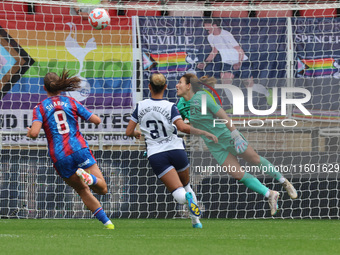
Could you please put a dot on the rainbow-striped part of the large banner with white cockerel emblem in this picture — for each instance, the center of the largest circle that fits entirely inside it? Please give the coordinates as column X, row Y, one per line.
column 102, row 59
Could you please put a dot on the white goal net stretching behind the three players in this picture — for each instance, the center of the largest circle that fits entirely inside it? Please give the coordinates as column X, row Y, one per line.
column 284, row 98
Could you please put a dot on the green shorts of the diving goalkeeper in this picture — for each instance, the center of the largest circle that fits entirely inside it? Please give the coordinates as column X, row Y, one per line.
column 221, row 150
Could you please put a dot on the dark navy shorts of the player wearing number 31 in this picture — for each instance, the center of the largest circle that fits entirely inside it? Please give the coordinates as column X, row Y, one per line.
column 163, row 162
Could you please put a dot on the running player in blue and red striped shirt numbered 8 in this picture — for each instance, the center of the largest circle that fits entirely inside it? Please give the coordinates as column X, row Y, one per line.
column 69, row 151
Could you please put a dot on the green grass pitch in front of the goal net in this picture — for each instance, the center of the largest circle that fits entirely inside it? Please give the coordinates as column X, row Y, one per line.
column 156, row 236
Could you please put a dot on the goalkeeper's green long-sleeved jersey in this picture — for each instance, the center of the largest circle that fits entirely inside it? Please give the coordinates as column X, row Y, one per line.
column 192, row 110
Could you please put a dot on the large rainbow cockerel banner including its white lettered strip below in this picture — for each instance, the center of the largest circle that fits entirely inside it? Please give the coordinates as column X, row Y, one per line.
column 33, row 45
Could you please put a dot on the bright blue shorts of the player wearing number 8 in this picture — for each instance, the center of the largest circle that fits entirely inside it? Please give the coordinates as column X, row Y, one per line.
column 83, row 158
